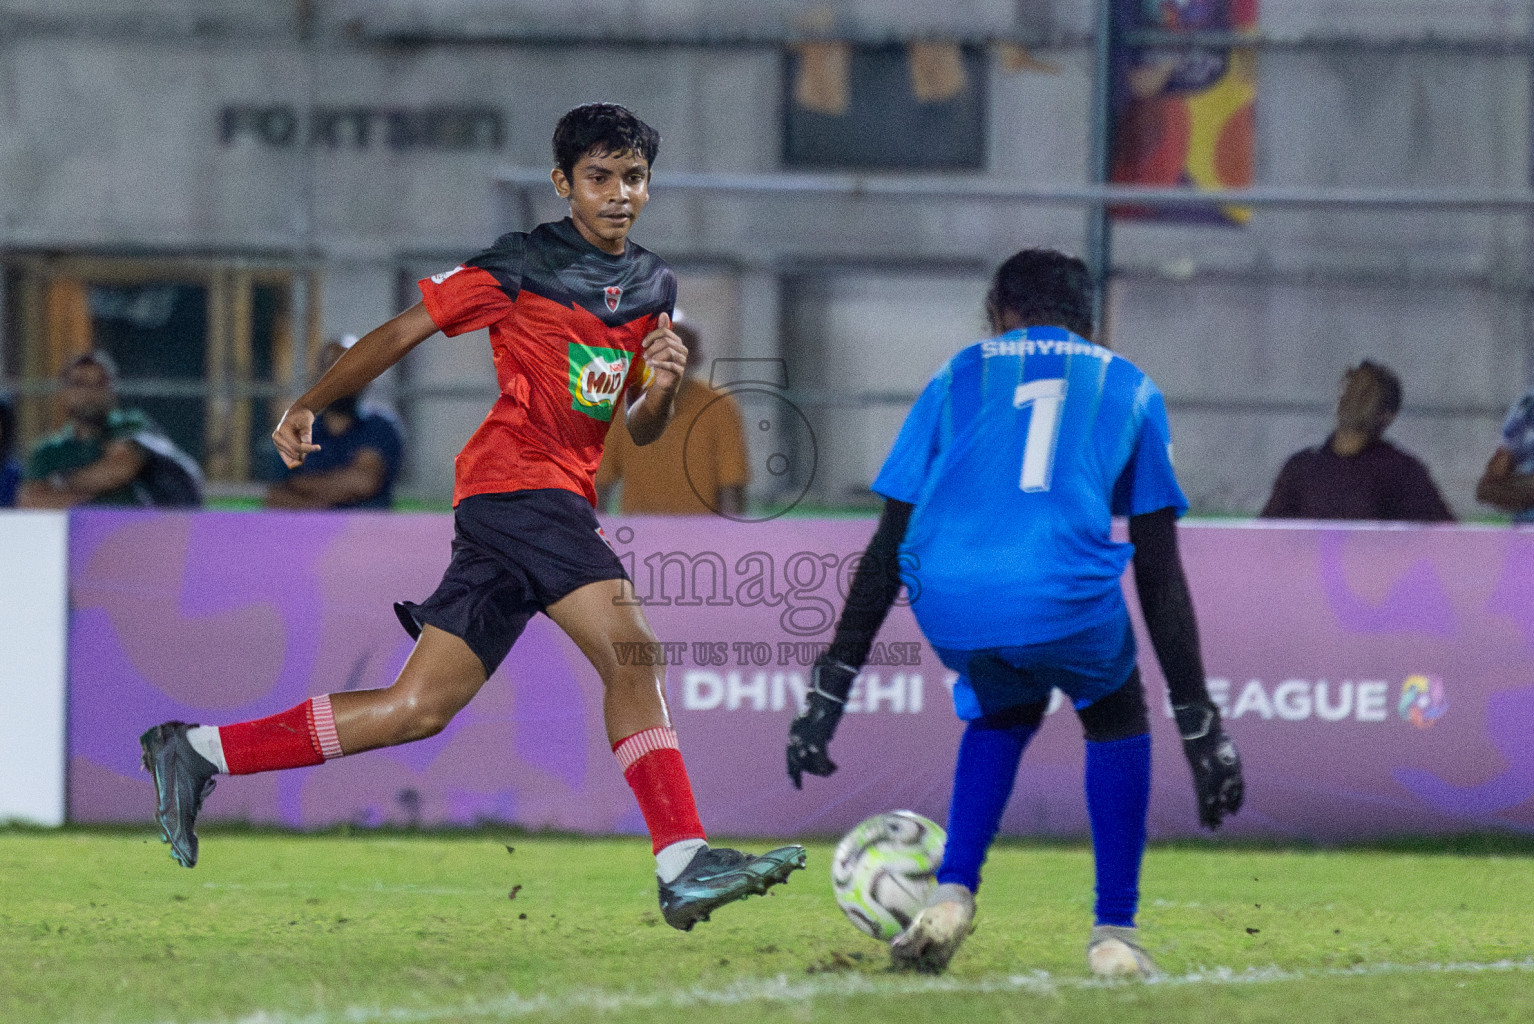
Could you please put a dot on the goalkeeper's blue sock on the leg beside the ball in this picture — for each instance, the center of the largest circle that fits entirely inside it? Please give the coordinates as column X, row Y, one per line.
column 984, row 779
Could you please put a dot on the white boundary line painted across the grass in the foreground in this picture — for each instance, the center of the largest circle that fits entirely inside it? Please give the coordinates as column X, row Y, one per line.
column 782, row 990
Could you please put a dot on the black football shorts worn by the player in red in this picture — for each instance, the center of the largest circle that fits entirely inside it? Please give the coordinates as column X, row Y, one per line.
column 513, row 556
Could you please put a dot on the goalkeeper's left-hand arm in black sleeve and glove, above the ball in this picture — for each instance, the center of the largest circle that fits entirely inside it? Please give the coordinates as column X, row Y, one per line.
column 875, row 588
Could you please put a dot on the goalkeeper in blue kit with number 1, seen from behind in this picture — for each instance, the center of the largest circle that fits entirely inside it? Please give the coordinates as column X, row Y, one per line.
column 999, row 504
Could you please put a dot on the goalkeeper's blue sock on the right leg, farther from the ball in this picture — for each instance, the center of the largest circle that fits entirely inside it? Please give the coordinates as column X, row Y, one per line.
column 1118, row 801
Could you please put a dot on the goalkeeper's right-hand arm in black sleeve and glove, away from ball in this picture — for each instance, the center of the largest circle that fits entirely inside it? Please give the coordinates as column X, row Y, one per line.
column 1168, row 608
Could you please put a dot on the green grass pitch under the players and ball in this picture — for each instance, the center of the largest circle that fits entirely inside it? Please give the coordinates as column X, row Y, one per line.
column 401, row 928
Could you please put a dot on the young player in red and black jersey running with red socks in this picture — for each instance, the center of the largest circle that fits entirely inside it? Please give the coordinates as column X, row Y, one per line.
column 581, row 326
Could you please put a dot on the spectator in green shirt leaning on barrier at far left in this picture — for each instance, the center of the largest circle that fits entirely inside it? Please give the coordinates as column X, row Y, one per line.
column 107, row 455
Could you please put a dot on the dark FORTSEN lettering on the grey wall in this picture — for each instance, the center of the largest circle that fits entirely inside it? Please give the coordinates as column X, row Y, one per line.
column 433, row 128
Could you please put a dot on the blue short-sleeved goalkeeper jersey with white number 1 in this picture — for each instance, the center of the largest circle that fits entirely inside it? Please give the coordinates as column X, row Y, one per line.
column 1018, row 456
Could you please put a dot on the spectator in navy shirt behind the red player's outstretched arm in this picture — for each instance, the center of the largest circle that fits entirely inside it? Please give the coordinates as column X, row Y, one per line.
column 361, row 450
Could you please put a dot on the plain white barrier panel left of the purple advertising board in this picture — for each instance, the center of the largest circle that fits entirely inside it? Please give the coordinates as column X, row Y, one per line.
column 33, row 640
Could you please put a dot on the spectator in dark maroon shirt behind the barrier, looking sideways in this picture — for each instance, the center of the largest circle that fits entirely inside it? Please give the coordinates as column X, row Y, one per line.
column 1355, row 474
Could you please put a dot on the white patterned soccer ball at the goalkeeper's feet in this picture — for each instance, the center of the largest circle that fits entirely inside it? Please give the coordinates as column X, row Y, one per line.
column 886, row 868
